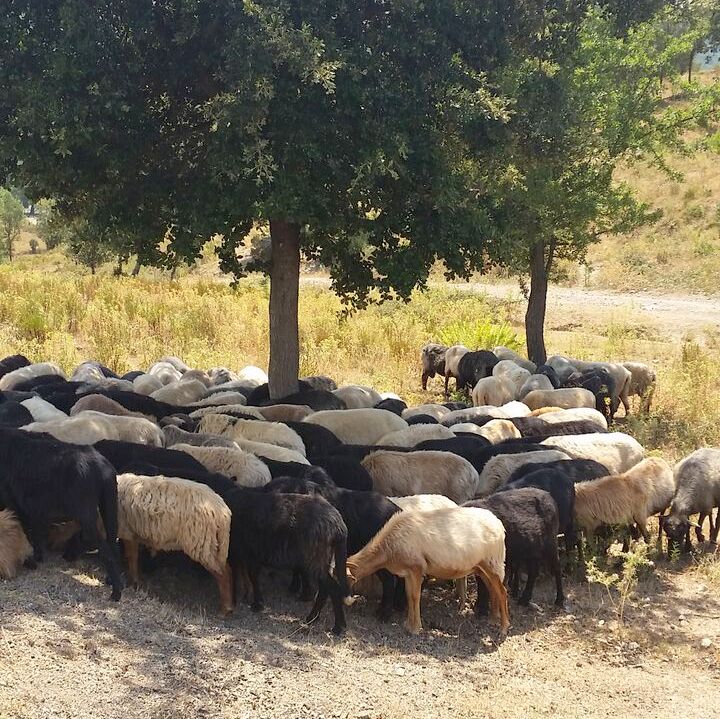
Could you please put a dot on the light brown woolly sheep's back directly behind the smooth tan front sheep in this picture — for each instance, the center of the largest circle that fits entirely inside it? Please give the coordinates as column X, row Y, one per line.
column 398, row 474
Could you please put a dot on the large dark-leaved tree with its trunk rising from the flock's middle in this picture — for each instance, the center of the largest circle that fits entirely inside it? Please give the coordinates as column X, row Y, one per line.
column 340, row 125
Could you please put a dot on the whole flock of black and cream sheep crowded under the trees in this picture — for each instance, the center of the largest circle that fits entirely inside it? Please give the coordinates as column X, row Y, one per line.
column 348, row 490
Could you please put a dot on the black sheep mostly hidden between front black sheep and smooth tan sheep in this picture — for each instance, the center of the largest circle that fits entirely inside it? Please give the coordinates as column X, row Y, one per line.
column 364, row 514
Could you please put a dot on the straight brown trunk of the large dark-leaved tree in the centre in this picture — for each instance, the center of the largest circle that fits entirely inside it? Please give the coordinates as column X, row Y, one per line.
column 284, row 282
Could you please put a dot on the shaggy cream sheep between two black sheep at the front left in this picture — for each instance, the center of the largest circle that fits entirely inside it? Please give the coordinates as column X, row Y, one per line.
column 170, row 514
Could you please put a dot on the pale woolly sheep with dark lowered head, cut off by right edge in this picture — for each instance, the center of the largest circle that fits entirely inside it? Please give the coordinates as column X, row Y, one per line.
column 697, row 482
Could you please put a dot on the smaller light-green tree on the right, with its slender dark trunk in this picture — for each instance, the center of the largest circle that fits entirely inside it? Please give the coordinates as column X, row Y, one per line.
column 586, row 98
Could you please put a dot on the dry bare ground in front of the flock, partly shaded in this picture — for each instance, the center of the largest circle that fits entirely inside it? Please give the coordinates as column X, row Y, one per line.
column 67, row 651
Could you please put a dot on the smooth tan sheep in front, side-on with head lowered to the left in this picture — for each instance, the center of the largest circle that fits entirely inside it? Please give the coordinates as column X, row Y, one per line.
column 444, row 543
